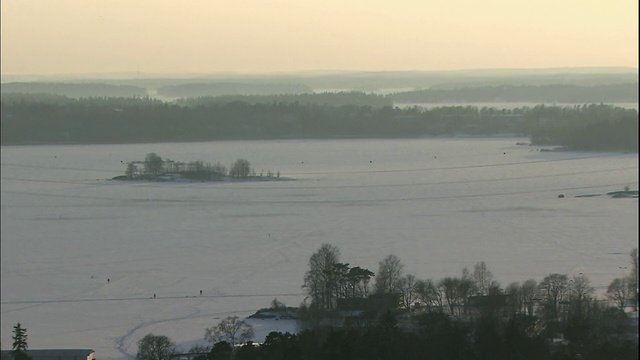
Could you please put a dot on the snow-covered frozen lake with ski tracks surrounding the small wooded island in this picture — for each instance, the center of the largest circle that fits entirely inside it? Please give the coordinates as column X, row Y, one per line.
column 438, row 204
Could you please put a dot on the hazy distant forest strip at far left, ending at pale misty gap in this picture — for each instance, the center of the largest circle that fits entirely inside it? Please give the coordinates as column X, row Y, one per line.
column 74, row 90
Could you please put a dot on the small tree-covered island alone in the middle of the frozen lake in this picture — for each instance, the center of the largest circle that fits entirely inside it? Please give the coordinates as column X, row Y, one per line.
column 154, row 168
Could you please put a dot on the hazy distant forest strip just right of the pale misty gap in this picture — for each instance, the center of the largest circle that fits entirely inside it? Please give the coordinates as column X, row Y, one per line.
column 228, row 88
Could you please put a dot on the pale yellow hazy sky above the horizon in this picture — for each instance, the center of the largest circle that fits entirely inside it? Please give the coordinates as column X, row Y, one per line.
column 198, row 36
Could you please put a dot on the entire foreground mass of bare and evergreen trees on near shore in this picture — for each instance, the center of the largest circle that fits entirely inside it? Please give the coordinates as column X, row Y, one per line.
column 470, row 316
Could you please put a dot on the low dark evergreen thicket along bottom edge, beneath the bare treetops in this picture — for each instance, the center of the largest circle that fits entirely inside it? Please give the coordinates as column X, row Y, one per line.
column 433, row 336
